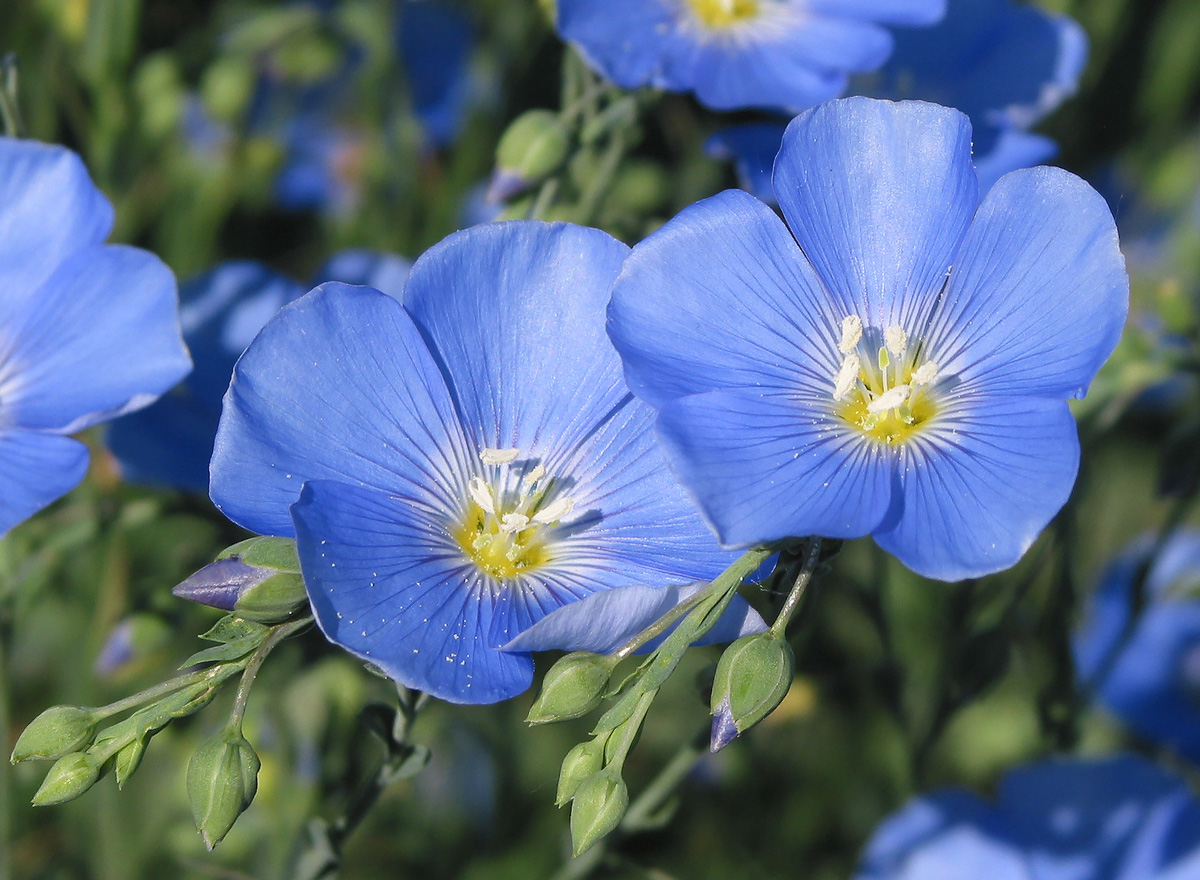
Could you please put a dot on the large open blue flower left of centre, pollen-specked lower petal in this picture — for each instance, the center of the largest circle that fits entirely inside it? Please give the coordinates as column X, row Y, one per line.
column 470, row 460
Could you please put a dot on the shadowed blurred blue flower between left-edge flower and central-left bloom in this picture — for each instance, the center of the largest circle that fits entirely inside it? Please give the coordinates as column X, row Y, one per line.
column 221, row 312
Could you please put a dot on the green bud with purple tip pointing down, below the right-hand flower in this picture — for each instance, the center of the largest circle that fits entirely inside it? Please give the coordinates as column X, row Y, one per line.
column 753, row 679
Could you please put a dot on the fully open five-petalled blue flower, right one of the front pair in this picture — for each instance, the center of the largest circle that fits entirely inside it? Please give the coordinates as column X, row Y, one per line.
column 896, row 361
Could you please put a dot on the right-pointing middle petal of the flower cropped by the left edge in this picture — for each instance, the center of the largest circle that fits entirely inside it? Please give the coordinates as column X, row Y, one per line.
column 98, row 339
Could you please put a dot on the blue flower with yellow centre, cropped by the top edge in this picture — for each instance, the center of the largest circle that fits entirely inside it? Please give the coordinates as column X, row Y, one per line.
column 787, row 55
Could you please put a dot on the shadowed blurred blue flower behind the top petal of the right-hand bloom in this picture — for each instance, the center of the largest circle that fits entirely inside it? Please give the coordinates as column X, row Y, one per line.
column 1005, row 64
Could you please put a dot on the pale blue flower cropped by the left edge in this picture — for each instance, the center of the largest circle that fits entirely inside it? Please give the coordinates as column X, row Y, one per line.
column 88, row 331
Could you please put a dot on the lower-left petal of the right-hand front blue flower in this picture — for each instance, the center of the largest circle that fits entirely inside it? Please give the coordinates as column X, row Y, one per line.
column 770, row 468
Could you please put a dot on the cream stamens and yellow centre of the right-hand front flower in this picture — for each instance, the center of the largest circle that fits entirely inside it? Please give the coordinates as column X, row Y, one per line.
column 885, row 391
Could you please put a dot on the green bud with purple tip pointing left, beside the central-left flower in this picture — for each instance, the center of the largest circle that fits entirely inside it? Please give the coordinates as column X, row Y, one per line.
column 257, row 579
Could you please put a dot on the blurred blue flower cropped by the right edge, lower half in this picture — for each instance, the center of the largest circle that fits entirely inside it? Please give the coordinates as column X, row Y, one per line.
column 1147, row 671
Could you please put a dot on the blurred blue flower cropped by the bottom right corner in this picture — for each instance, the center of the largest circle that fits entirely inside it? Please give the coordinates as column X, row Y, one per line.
column 1113, row 819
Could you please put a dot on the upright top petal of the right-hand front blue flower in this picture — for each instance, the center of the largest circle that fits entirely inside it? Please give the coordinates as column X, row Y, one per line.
column 879, row 220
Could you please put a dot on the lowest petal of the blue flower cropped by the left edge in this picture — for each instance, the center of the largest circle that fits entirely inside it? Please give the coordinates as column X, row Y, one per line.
column 35, row 470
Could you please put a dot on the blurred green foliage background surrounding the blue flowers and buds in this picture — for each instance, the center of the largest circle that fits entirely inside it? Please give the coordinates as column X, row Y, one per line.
column 183, row 112
